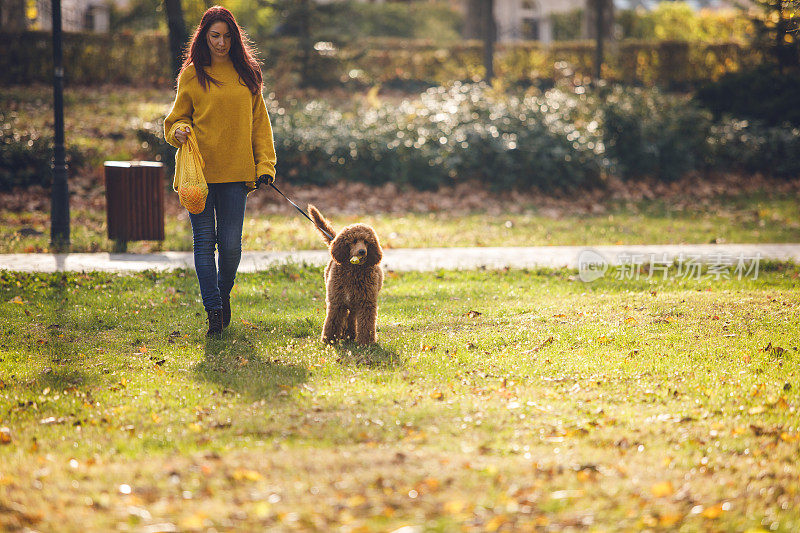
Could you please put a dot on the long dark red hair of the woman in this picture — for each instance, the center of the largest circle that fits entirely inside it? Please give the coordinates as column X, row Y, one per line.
column 241, row 53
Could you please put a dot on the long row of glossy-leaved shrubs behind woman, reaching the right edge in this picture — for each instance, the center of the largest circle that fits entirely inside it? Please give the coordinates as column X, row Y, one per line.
column 564, row 138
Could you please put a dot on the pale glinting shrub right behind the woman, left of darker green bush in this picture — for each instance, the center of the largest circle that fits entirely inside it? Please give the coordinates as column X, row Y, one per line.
column 448, row 134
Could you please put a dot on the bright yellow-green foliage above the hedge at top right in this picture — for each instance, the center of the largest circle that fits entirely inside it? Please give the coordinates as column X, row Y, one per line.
column 679, row 21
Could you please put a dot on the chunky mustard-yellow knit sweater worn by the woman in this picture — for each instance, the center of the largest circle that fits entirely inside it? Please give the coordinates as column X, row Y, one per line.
column 231, row 124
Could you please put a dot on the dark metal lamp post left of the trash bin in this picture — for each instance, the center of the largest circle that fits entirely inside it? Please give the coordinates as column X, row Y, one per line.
column 59, row 199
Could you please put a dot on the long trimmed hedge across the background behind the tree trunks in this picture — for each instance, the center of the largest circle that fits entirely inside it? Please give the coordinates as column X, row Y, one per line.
column 141, row 59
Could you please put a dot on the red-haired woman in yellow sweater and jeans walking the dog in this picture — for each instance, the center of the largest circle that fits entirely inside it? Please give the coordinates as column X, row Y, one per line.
column 219, row 97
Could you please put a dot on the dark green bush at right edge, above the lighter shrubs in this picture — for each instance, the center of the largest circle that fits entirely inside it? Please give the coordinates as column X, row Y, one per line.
column 761, row 94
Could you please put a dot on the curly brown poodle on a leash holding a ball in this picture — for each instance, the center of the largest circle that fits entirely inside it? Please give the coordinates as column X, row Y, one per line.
column 353, row 278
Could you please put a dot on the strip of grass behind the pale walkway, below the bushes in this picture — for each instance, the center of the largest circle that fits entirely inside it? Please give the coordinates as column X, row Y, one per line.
column 752, row 218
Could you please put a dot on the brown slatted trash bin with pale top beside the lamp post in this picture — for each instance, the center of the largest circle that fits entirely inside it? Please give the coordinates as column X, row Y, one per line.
column 134, row 201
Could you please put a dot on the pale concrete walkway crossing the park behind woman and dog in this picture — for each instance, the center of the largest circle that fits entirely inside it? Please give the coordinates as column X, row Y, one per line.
column 427, row 259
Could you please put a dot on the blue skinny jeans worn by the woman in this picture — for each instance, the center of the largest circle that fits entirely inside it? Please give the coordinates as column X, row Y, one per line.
column 220, row 223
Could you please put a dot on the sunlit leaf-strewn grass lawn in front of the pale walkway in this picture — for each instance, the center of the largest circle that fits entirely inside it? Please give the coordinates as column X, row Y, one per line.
column 495, row 401
